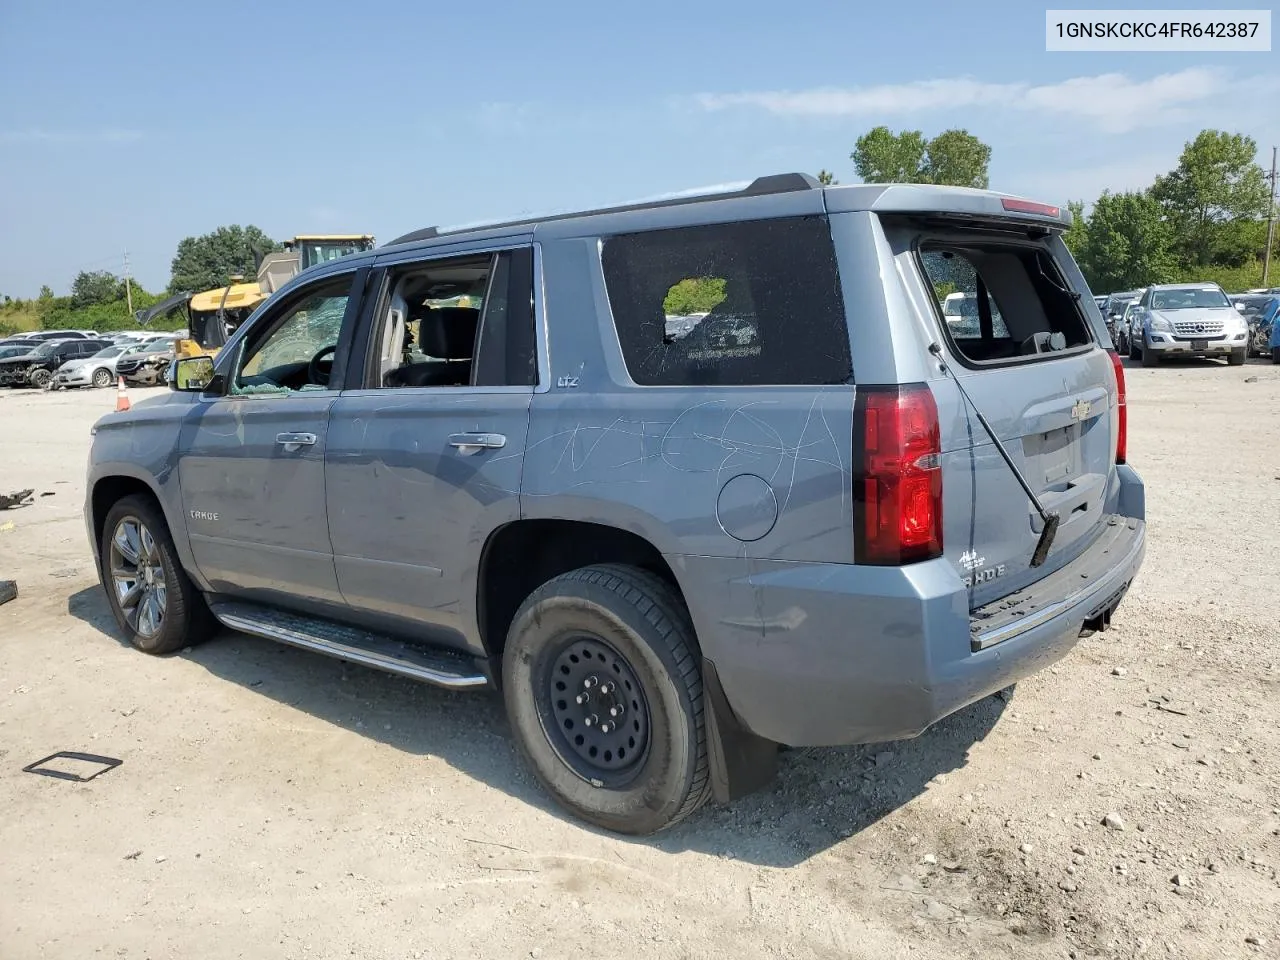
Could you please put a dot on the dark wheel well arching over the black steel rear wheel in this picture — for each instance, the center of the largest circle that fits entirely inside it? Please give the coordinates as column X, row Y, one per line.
column 525, row 555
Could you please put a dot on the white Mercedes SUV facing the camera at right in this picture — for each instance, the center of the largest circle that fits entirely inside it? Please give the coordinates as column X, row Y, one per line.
column 1188, row 321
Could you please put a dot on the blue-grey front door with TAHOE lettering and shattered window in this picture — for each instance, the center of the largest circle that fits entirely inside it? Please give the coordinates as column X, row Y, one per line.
column 252, row 464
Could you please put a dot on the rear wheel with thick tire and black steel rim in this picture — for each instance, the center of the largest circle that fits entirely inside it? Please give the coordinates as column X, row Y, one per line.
column 604, row 691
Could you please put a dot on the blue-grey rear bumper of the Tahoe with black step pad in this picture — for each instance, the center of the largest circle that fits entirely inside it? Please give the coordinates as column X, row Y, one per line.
column 815, row 655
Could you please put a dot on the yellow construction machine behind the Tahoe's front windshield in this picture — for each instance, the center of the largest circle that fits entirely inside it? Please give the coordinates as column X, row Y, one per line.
column 214, row 316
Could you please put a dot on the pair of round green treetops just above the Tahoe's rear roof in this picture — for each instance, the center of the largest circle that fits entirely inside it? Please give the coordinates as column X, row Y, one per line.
column 954, row 158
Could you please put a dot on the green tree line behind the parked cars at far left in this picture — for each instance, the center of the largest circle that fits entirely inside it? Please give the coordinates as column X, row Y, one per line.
column 99, row 300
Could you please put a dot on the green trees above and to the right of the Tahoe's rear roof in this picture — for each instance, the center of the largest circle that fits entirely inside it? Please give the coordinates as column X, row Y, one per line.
column 1203, row 221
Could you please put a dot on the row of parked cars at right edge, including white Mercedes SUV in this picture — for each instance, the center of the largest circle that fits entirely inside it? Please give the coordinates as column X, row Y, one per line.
column 1173, row 321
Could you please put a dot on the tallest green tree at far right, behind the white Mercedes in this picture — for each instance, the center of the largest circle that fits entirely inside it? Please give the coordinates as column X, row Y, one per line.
column 1215, row 189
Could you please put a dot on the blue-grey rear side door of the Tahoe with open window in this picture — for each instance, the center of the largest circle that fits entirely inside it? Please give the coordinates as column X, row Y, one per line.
column 426, row 451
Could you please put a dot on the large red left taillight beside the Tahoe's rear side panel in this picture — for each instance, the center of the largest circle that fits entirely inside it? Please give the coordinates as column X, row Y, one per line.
column 898, row 476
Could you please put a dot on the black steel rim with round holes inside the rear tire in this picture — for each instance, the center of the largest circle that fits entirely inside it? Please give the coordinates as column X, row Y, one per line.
column 600, row 716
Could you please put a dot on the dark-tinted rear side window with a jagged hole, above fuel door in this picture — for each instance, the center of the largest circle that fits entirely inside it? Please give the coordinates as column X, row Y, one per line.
column 740, row 304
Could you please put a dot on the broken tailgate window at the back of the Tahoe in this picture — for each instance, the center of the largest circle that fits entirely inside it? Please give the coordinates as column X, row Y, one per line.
column 1002, row 301
